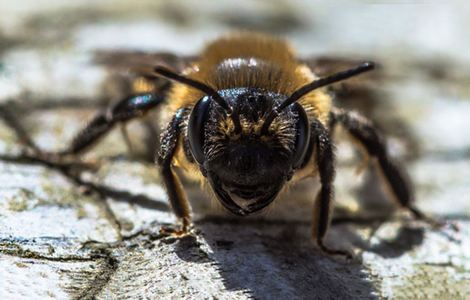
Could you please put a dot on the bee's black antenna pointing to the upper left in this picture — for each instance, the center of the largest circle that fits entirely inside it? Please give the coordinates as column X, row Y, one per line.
column 167, row 73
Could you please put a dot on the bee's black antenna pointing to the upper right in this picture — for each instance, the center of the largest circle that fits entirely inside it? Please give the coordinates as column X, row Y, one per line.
column 318, row 83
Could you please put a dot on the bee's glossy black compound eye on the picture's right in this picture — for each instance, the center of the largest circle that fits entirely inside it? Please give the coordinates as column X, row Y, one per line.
column 303, row 136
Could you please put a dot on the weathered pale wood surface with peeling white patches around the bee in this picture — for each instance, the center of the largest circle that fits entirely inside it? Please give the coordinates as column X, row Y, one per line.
column 58, row 242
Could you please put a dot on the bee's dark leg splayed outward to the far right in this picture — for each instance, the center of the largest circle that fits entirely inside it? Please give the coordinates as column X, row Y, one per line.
column 396, row 178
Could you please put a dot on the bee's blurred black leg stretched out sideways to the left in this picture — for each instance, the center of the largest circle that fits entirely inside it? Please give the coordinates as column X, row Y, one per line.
column 123, row 111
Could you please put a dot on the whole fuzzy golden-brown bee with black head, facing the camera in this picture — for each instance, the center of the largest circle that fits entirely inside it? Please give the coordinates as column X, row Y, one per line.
column 248, row 118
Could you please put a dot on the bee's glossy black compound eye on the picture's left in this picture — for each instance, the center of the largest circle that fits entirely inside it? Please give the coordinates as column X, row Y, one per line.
column 196, row 126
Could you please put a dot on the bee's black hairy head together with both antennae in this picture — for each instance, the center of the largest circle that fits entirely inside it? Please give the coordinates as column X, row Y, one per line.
column 248, row 142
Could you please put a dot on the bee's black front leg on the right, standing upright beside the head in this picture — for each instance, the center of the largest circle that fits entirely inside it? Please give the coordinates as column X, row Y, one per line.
column 324, row 201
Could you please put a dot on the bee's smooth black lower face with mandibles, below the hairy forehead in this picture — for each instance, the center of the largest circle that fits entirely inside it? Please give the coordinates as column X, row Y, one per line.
column 247, row 177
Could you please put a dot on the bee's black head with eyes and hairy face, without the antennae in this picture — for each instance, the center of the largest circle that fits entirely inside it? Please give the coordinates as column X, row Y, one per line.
column 246, row 170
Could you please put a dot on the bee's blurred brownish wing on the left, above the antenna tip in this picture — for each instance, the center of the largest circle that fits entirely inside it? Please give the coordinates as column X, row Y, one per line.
column 141, row 63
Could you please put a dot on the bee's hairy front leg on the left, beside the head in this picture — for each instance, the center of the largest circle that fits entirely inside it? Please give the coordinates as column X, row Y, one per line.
column 176, row 195
